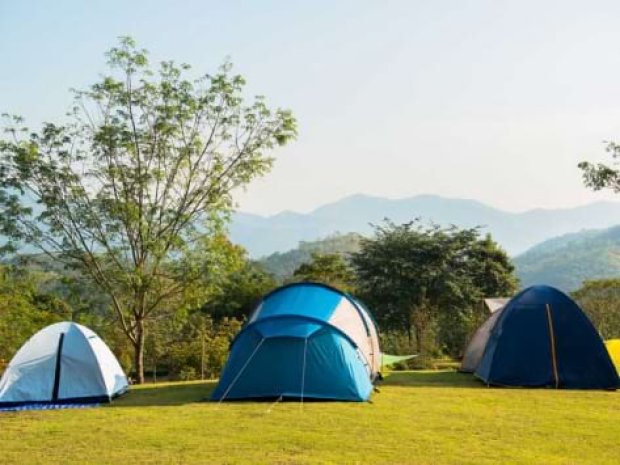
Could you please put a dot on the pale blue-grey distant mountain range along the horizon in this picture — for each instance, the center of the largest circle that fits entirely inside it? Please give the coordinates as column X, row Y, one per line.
column 516, row 232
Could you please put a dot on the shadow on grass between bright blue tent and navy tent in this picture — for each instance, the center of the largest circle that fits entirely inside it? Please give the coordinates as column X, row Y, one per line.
column 439, row 379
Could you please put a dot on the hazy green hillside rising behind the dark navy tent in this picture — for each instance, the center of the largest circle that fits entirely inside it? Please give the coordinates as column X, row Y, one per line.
column 566, row 261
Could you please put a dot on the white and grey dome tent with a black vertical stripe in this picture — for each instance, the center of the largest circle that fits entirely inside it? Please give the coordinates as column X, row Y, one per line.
column 61, row 364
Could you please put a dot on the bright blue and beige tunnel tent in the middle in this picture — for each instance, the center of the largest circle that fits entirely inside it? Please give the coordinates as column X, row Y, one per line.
column 303, row 340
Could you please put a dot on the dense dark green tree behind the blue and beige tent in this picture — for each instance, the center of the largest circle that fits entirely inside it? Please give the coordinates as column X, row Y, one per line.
column 416, row 275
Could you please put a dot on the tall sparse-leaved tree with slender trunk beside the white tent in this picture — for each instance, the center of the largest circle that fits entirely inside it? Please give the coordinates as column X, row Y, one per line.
column 144, row 170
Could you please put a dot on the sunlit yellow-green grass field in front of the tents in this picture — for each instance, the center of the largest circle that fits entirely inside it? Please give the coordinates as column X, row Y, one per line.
column 417, row 418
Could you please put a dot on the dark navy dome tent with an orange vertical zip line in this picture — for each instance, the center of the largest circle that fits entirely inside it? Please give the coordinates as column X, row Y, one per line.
column 543, row 339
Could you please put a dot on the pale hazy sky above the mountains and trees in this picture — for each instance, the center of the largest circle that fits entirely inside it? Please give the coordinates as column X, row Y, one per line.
column 491, row 100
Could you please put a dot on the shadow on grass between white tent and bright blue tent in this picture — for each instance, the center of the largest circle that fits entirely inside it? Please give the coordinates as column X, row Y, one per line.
column 166, row 394
